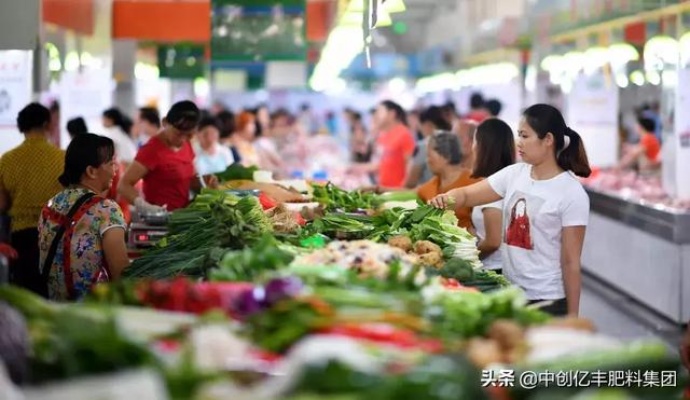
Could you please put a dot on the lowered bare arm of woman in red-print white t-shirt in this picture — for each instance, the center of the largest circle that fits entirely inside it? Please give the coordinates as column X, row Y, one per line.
column 572, row 240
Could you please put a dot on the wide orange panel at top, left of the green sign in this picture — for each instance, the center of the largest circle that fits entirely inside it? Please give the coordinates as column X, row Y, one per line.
column 163, row 21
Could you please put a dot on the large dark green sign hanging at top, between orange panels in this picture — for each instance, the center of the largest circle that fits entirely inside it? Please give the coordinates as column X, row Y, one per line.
column 258, row 30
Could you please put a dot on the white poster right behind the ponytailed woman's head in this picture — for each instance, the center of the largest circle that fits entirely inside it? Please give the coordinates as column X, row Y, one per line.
column 592, row 111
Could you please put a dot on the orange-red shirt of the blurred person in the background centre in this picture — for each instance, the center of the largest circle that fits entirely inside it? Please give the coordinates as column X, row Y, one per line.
column 396, row 146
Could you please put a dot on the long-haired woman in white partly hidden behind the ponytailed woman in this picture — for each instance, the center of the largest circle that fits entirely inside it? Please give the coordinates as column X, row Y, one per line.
column 494, row 149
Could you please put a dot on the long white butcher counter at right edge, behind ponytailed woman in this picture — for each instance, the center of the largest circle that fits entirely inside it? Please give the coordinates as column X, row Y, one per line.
column 641, row 250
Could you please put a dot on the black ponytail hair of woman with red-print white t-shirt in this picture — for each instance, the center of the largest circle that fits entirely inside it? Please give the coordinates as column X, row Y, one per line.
column 569, row 149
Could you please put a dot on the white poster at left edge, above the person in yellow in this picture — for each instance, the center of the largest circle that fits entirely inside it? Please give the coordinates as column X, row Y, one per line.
column 15, row 84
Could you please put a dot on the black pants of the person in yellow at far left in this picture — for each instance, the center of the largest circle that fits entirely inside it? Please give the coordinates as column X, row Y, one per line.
column 25, row 271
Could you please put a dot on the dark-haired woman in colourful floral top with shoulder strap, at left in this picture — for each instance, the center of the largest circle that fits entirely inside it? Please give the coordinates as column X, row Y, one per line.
column 91, row 249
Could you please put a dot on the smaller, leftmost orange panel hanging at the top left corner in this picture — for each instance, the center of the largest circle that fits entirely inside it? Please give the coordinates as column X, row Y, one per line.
column 75, row 15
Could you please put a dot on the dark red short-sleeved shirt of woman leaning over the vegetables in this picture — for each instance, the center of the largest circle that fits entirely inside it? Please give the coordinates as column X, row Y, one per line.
column 170, row 173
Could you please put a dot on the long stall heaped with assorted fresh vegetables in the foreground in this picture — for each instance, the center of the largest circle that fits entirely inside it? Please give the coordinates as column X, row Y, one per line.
column 362, row 296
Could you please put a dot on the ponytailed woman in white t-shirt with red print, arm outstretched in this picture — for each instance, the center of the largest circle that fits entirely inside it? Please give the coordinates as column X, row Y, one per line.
column 545, row 209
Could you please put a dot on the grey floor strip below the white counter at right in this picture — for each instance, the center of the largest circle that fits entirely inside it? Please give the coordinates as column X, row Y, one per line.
column 616, row 315
